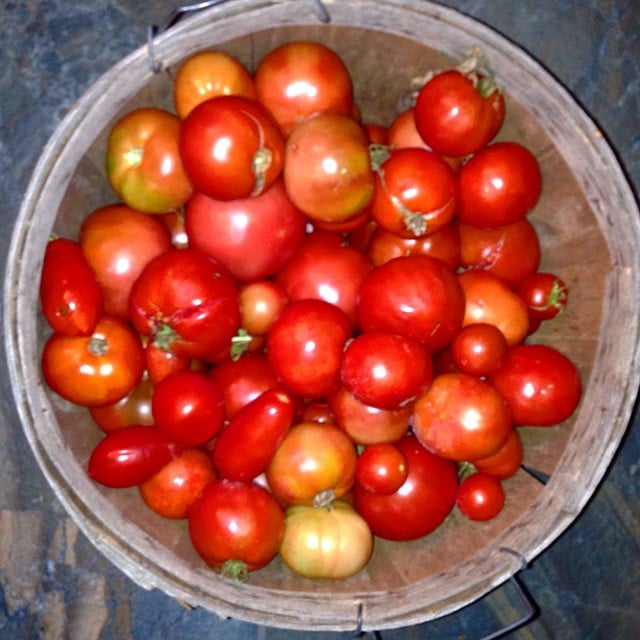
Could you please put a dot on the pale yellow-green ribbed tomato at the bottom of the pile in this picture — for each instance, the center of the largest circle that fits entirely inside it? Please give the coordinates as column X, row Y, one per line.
column 326, row 542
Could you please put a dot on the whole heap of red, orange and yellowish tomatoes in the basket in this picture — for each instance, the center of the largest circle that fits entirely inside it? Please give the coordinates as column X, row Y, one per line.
column 299, row 330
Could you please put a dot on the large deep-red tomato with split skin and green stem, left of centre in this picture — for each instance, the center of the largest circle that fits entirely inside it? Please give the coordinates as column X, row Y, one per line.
column 187, row 301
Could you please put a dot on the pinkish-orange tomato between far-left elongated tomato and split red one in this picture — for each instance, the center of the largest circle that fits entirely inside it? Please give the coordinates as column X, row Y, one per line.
column 118, row 242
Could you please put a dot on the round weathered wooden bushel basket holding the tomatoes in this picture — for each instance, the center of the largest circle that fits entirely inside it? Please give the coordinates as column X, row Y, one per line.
column 589, row 227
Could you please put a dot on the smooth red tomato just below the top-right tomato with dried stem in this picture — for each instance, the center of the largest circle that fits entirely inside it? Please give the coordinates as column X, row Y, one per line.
column 499, row 185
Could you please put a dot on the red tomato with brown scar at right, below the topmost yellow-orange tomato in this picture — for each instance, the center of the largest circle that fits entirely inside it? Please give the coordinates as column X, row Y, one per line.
column 231, row 147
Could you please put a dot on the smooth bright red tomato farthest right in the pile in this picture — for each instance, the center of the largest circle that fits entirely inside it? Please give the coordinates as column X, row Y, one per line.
column 541, row 385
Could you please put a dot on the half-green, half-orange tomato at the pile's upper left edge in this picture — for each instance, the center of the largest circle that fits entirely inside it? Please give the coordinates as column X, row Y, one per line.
column 143, row 161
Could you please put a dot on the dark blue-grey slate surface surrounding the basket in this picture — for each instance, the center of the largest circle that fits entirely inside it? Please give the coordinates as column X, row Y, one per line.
column 53, row 584
